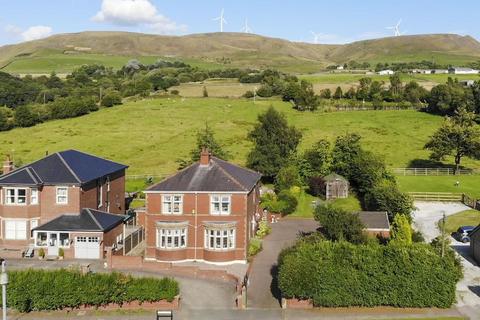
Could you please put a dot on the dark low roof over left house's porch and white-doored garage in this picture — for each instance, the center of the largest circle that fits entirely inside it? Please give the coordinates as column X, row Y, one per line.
column 87, row 220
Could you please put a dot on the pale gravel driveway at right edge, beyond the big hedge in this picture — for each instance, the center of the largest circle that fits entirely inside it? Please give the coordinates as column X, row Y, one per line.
column 426, row 218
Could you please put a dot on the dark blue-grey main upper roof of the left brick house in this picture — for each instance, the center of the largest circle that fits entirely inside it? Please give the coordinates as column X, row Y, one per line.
column 65, row 167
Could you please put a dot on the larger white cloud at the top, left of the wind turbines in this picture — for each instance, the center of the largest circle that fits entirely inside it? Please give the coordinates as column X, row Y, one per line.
column 135, row 13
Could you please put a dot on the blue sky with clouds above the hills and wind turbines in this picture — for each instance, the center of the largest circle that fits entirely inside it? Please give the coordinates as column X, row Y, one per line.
column 337, row 21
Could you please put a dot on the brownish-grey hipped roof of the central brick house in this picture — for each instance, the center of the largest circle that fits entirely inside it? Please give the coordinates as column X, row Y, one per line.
column 218, row 176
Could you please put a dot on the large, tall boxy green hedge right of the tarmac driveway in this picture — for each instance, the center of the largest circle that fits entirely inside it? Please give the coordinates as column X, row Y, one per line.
column 341, row 274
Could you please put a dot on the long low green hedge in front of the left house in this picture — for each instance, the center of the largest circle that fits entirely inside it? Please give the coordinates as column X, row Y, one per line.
column 36, row 290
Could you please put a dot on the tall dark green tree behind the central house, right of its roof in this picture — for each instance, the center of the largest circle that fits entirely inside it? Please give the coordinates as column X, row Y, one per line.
column 274, row 141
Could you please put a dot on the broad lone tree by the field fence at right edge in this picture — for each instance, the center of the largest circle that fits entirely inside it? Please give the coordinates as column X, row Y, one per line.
column 459, row 136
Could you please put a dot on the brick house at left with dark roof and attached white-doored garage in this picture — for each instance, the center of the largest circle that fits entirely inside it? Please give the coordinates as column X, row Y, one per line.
column 61, row 185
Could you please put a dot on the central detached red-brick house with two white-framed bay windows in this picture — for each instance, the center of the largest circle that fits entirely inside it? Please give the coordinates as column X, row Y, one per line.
column 206, row 212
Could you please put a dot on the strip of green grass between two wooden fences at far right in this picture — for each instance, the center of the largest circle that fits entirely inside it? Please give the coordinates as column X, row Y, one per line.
column 468, row 184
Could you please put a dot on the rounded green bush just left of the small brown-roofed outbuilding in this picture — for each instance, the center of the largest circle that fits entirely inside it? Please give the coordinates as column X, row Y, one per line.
column 338, row 224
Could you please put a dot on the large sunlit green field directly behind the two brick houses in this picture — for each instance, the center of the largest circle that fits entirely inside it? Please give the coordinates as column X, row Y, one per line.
column 150, row 135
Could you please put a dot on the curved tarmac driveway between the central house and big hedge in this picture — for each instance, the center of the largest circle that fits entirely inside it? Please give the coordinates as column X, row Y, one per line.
column 262, row 291
